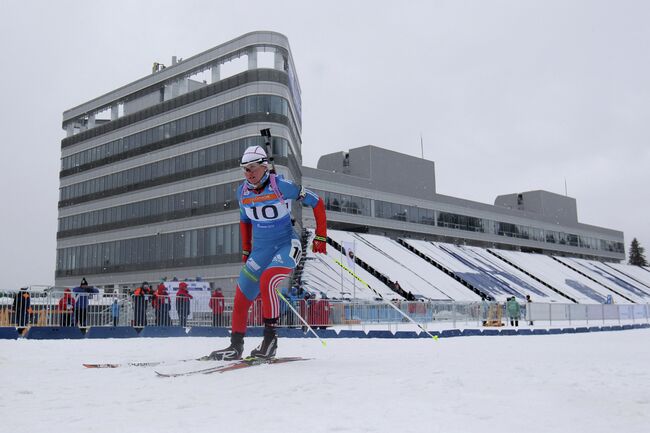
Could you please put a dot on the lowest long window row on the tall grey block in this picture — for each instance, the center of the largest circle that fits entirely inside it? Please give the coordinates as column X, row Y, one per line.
column 151, row 252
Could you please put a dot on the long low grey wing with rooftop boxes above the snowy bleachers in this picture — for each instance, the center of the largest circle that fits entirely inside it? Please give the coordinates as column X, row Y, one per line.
column 360, row 197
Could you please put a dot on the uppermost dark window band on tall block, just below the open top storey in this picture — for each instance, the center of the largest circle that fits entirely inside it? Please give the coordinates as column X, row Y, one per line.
column 213, row 116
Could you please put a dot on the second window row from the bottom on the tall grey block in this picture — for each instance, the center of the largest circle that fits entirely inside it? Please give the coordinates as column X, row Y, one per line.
column 214, row 199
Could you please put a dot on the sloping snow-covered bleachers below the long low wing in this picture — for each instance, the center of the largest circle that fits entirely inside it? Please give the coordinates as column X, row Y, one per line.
column 445, row 272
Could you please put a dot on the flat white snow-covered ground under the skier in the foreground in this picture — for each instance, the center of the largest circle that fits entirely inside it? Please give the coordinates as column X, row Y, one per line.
column 596, row 382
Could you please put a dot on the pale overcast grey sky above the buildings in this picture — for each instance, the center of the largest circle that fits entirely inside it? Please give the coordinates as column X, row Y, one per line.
column 509, row 96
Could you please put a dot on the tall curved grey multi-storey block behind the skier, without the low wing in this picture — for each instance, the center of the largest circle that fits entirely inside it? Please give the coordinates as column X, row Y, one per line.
column 149, row 171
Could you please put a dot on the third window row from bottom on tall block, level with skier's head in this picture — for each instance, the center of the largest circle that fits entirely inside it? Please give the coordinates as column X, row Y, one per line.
column 225, row 156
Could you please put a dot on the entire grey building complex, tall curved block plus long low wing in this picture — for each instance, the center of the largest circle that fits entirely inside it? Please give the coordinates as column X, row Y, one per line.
column 149, row 174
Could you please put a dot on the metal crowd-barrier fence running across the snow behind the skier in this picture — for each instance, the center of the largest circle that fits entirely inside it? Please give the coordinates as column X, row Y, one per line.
column 56, row 308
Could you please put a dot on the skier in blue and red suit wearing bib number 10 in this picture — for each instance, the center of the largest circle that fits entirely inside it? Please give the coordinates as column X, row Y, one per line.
column 265, row 216
